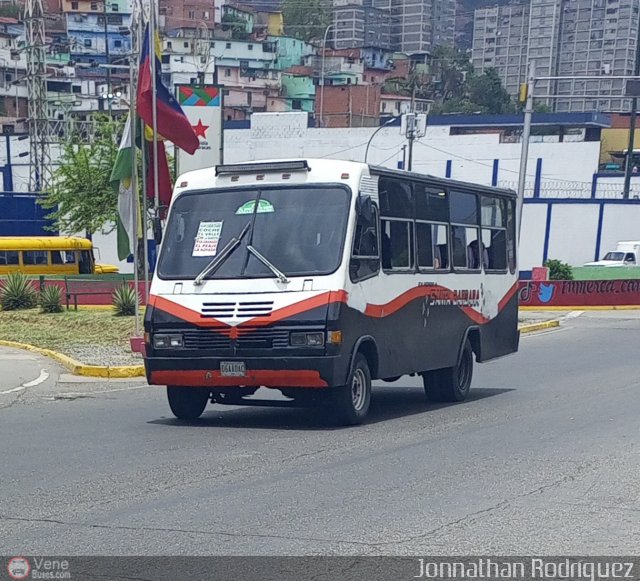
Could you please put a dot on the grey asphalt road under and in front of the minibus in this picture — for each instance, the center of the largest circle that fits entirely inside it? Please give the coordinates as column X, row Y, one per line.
column 545, row 458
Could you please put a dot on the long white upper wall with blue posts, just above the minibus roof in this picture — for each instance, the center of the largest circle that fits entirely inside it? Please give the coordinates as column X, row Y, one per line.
column 565, row 170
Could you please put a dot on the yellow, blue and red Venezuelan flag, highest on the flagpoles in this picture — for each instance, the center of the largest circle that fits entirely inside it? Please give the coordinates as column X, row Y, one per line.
column 171, row 120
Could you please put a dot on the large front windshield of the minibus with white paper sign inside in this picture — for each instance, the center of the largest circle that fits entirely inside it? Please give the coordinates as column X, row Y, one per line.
column 300, row 230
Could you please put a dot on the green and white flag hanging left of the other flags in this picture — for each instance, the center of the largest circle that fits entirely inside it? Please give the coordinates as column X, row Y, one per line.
column 121, row 180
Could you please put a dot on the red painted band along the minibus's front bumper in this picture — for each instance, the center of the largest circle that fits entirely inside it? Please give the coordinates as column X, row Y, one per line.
column 254, row 378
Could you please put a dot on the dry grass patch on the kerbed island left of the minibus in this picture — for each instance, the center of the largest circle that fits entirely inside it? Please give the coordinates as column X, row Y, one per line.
column 61, row 331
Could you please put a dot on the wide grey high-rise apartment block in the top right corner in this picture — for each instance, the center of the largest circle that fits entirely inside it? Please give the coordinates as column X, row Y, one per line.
column 562, row 38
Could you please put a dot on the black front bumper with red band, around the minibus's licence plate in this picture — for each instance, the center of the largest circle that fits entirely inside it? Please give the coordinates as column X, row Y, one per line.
column 289, row 372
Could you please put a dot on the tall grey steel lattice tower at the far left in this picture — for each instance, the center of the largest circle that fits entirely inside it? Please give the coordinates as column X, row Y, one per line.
column 39, row 128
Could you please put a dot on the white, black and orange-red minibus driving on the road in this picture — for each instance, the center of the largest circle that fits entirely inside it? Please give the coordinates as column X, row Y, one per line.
column 317, row 276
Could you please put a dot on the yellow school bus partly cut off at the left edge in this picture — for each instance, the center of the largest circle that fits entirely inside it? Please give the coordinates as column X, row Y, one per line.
column 49, row 255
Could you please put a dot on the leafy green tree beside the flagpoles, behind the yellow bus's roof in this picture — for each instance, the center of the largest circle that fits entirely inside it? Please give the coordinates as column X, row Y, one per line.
column 81, row 198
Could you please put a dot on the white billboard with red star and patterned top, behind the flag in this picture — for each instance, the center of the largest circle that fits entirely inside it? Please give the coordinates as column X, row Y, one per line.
column 203, row 107
